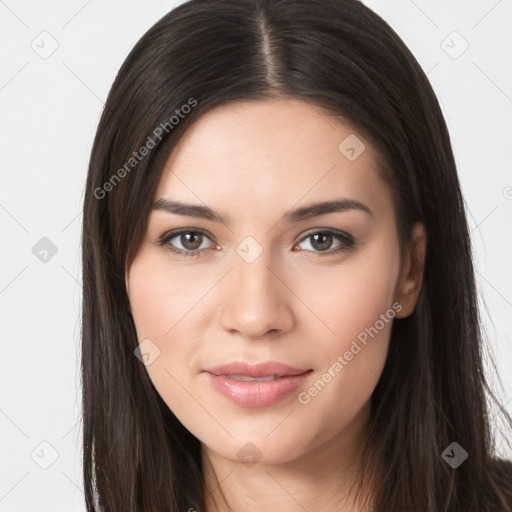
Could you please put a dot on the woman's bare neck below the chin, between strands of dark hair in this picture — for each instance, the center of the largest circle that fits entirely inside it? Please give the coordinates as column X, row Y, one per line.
column 324, row 478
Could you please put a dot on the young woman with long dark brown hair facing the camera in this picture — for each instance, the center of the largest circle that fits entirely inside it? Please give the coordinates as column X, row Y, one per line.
column 279, row 301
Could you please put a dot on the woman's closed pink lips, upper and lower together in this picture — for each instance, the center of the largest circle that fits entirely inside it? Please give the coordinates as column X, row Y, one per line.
column 256, row 393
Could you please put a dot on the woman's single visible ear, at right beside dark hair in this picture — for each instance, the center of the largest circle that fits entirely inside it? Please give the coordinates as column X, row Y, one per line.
column 411, row 278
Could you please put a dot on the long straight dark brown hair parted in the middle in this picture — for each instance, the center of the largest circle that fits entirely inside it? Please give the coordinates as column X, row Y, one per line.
column 342, row 57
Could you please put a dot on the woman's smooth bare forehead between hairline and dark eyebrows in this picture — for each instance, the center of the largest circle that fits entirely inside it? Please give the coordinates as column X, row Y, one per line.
column 274, row 154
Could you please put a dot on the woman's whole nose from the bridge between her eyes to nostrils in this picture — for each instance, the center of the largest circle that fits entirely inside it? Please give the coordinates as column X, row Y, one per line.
column 257, row 300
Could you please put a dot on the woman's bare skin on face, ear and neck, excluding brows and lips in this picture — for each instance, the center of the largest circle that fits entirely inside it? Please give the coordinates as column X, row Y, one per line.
column 253, row 162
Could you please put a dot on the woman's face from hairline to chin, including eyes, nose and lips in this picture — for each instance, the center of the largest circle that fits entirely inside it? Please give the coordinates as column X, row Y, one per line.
column 317, row 292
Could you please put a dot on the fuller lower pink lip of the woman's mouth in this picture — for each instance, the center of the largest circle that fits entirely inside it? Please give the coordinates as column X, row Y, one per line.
column 254, row 393
